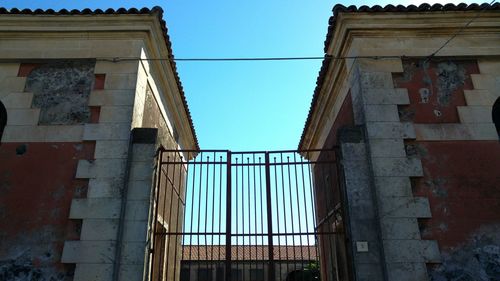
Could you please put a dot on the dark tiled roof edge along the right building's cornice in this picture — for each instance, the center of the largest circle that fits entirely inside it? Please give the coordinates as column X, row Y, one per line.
column 378, row 9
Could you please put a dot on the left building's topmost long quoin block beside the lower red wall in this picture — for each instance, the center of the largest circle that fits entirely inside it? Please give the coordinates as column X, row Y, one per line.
column 100, row 168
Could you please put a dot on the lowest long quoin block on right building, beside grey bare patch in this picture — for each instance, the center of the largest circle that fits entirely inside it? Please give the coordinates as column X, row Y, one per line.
column 411, row 251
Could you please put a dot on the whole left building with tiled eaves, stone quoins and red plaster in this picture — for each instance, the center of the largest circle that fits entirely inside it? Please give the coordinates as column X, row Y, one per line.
column 82, row 113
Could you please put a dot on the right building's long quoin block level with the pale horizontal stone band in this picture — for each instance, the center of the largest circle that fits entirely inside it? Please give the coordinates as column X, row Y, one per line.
column 390, row 130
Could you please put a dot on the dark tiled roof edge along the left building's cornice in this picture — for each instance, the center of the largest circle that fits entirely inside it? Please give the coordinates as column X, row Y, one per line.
column 158, row 11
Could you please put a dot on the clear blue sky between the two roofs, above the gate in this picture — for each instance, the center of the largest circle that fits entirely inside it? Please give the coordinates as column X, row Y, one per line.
column 240, row 105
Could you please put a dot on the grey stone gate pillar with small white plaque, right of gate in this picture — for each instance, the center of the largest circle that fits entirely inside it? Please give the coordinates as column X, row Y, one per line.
column 360, row 206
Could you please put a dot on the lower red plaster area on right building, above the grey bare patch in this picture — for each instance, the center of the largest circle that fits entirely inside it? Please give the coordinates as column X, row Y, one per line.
column 462, row 181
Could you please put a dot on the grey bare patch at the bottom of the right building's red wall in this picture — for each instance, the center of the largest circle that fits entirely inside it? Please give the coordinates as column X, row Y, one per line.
column 478, row 259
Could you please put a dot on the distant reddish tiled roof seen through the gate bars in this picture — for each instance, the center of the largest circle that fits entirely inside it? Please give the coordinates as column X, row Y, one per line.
column 247, row 253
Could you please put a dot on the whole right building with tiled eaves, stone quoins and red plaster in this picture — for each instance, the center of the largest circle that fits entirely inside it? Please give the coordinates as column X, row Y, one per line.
column 409, row 96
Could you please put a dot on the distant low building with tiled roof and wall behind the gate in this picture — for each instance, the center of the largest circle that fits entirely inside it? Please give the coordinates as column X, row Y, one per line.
column 206, row 263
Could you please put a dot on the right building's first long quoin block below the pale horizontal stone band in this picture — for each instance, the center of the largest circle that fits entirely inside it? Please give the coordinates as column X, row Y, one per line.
column 397, row 167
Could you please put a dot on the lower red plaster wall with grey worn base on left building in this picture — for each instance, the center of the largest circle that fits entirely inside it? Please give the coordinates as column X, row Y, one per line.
column 37, row 184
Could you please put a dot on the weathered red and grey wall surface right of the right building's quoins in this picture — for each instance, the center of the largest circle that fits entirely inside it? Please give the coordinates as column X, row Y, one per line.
column 451, row 107
